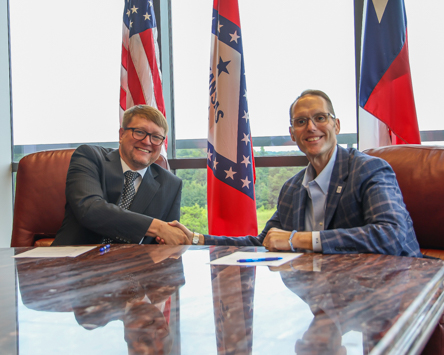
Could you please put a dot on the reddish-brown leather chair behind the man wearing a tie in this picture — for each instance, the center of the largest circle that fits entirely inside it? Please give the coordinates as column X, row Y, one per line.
column 40, row 196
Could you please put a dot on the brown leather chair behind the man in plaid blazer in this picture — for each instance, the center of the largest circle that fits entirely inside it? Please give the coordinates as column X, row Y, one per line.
column 420, row 172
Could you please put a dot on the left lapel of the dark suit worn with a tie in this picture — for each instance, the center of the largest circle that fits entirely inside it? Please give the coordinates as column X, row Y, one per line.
column 113, row 176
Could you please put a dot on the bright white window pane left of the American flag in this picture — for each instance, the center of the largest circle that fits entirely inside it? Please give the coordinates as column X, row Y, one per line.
column 65, row 61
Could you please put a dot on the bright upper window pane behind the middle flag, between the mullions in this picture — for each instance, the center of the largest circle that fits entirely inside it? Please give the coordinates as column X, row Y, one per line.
column 286, row 51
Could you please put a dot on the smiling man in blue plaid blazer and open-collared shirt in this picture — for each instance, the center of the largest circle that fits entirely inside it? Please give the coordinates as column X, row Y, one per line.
column 343, row 202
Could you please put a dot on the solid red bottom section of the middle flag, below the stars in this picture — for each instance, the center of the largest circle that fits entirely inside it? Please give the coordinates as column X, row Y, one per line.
column 227, row 220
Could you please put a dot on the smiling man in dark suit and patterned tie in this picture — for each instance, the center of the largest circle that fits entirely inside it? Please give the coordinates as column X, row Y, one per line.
column 95, row 211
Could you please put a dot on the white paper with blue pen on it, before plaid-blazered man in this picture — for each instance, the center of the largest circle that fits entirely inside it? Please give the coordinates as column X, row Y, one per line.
column 232, row 259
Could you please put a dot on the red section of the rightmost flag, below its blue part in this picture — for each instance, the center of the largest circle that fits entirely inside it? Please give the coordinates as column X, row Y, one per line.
column 392, row 100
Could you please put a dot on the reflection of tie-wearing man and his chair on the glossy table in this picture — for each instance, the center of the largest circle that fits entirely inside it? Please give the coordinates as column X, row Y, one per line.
column 138, row 294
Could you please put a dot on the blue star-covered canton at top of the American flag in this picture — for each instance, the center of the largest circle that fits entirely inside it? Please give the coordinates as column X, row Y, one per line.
column 139, row 16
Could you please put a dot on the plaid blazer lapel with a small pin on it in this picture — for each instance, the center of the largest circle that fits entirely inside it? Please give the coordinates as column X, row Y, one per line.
column 338, row 182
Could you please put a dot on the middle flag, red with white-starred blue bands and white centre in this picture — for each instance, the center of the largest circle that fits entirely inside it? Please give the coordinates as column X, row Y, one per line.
column 230, row 164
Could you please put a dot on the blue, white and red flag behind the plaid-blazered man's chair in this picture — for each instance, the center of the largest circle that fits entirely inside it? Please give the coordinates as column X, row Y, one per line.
column 386, row 90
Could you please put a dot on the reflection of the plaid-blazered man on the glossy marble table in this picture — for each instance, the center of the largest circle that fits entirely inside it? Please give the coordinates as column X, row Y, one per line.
column 344, row 304
